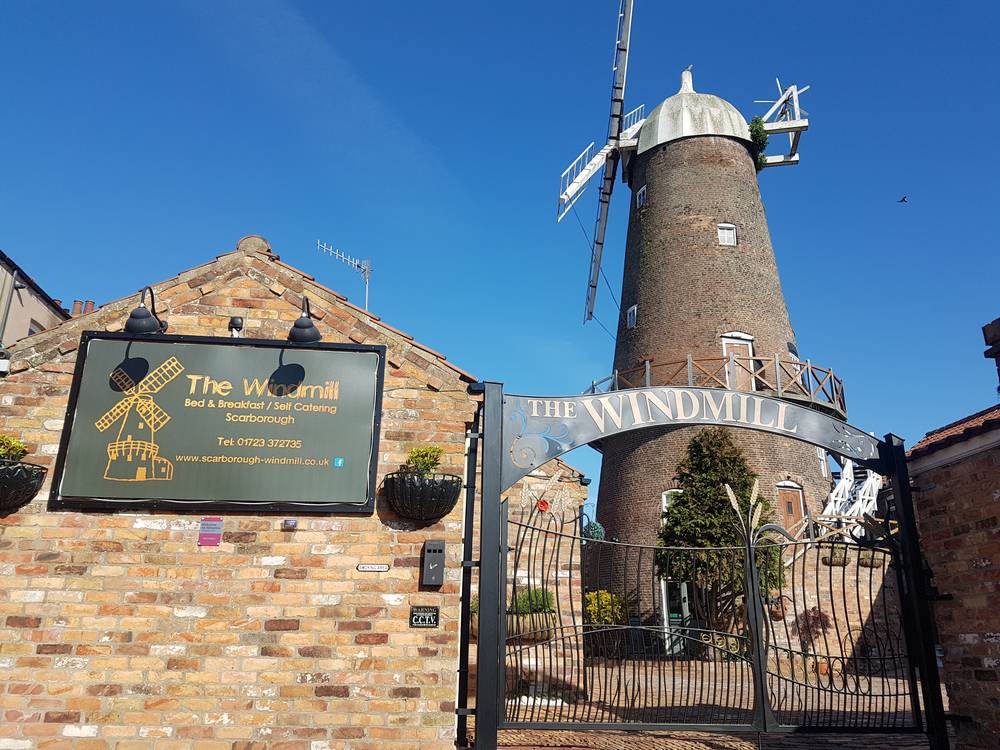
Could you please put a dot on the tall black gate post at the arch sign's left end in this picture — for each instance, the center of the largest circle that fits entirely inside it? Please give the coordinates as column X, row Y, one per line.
column 489, row 693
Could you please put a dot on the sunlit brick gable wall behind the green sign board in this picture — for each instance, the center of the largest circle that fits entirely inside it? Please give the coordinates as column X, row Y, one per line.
column 120, row 631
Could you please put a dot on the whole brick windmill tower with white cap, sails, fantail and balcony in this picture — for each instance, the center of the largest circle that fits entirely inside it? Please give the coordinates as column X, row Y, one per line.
column 701, row 300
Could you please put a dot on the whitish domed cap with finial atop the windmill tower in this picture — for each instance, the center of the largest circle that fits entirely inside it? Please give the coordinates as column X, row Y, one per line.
column 689, row 113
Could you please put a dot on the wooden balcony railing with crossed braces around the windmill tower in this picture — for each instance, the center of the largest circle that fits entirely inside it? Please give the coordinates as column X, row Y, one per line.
column 791, row 379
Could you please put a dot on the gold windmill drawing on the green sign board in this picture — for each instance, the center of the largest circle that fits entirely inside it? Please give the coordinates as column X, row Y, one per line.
column 134, row 455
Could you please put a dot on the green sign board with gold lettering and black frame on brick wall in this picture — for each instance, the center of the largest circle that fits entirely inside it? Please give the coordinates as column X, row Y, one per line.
column 174, row 421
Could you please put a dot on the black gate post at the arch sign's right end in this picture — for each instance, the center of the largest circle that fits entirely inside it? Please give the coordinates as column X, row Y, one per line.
column 893, row 458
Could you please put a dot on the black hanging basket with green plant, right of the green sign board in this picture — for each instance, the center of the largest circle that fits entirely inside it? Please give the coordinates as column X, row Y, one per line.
column 417, row 492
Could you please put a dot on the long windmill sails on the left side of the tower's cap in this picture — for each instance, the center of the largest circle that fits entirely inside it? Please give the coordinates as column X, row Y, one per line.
column 622, row 132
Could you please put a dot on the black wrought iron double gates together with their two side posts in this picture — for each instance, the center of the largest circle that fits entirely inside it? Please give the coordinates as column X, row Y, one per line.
column 773, row 634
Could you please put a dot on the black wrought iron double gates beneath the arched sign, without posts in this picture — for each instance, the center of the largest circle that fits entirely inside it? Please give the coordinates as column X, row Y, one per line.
column 777, row 633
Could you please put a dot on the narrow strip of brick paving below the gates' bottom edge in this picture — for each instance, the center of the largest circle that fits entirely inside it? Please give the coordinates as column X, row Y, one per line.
column 535, row 740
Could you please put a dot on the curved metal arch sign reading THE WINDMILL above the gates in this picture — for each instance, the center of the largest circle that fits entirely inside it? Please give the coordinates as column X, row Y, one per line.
column 537, row 429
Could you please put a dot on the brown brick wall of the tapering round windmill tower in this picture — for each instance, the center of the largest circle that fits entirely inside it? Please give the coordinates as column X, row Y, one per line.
column 690, row 290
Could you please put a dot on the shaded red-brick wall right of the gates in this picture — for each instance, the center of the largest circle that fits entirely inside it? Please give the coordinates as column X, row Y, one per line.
column 958, row 512
